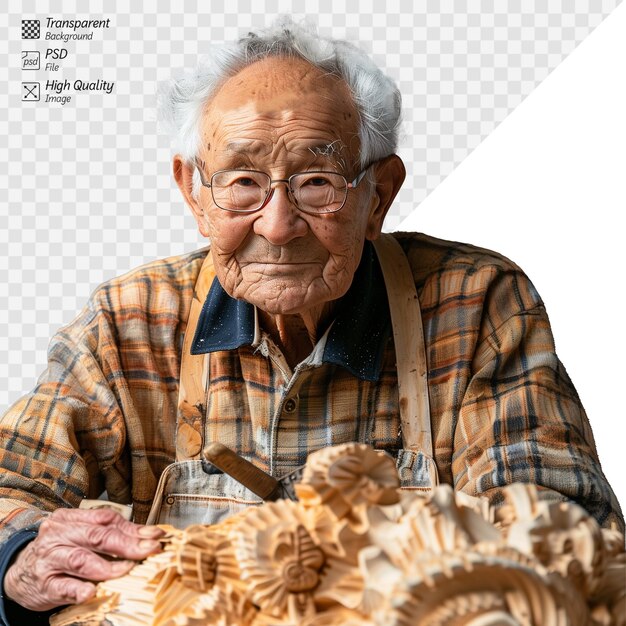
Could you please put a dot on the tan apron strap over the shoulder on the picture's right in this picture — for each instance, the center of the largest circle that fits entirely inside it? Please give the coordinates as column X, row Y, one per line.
column 408, row 337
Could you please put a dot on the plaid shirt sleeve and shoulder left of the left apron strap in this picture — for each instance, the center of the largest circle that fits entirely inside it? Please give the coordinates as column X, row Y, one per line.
column 104, row 410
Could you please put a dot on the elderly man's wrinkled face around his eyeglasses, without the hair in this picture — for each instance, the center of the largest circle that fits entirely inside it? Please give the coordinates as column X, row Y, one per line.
column 283, row 116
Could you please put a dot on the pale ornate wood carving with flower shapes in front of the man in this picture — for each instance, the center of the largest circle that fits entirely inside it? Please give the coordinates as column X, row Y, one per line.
column 356, row 550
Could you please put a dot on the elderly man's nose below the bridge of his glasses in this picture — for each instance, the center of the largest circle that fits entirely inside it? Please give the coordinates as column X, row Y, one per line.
column 280, row 221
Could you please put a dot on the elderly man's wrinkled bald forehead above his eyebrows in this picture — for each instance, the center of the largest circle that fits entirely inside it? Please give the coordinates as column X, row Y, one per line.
column 321, row 102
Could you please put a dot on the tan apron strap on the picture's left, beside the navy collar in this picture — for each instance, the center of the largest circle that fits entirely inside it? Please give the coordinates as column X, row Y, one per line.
column 193, row 374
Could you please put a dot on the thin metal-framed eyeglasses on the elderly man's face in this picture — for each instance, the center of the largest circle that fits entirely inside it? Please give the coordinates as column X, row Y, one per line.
column 246, row 191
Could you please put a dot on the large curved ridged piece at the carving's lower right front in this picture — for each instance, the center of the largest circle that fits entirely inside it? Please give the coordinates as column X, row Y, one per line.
column 472, row 588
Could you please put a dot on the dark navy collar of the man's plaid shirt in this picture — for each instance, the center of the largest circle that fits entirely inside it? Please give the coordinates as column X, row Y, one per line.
column 356, row 340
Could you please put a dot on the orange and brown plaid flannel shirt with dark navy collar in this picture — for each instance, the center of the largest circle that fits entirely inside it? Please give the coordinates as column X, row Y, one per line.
column 103, row 414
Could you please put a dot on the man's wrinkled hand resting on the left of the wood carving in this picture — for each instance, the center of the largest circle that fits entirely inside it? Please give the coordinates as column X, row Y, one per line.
column 56, row 567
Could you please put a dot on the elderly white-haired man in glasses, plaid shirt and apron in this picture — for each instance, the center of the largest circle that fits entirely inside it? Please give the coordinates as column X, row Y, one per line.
column 290, row 333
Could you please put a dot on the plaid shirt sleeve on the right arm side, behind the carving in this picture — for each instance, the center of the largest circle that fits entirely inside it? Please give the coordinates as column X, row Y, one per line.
column 521, row 419
